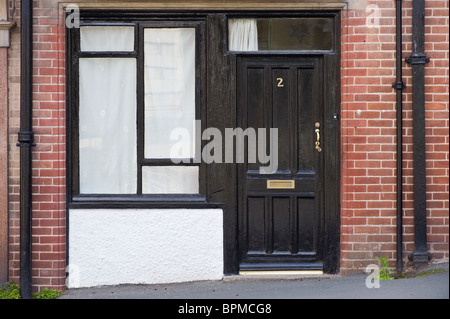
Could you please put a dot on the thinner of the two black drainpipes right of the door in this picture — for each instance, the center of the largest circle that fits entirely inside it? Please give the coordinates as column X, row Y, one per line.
column 399, row 86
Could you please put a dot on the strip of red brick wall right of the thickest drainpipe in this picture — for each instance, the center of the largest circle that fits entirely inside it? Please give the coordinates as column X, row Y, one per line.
column 437, row 124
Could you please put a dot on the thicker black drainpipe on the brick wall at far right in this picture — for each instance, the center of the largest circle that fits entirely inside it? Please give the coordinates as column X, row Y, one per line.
column 418, row 59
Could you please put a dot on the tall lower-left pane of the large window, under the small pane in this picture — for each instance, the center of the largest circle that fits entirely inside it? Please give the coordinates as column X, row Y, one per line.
column 107, row 125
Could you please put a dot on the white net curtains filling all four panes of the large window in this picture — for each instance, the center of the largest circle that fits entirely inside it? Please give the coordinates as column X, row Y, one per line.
column 108, row 104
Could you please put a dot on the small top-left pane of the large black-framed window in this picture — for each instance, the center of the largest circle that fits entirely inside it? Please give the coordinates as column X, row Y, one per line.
column 106, row 38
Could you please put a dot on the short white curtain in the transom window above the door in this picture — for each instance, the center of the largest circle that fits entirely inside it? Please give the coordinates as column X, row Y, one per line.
column 243, row 35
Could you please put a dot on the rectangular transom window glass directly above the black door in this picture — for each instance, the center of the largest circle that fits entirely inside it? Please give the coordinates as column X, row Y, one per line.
column 281, row 34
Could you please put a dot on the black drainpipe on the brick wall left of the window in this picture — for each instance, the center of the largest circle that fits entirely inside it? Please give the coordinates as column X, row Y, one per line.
column 26, row 138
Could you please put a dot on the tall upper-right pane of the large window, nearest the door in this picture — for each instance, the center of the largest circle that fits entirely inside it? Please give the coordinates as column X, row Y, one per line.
column 169, row 66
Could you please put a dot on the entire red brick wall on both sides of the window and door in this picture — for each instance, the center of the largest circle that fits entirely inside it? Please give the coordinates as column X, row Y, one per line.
column 368, row 200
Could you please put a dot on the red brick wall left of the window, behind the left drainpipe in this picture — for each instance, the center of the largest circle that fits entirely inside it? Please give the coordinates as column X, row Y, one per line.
column 48, row 210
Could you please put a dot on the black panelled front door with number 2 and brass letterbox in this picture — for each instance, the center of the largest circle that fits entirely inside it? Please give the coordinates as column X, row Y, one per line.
column 281, row 214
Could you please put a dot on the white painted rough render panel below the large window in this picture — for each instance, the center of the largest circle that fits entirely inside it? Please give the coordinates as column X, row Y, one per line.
column 144, row 246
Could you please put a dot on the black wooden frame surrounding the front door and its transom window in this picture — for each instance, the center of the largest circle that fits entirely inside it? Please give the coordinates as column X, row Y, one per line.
column 221, row 113
